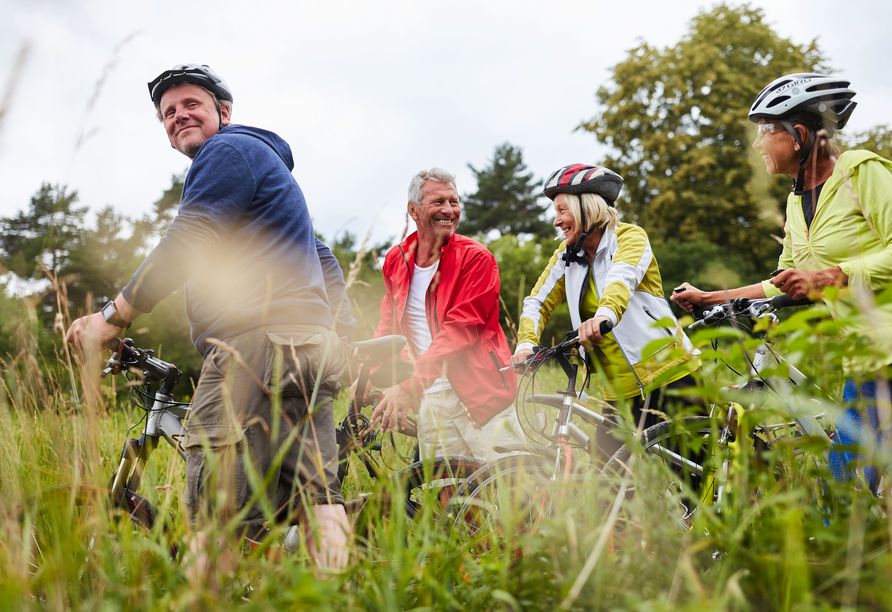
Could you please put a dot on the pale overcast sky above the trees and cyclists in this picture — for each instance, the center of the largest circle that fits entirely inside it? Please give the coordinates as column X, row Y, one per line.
column 366, row 93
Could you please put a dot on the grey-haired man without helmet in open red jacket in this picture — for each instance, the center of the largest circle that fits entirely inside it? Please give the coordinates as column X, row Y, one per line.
column 443, row 296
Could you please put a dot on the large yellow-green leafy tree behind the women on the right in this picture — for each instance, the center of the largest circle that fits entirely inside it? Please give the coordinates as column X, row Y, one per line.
column 677, row 120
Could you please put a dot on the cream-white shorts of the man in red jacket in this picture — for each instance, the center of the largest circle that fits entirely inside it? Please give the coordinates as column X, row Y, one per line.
column 445, row 429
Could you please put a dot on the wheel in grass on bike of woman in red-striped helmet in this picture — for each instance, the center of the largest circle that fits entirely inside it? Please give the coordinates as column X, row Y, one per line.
column 516, row 504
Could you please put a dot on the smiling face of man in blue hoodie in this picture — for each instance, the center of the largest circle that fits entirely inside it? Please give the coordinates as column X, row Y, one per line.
column 190, row 117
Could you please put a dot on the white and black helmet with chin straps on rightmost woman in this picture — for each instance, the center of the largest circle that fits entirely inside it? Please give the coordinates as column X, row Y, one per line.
column 805, row 92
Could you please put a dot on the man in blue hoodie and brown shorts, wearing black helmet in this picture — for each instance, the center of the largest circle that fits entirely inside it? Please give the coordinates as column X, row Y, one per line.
column 266, row 303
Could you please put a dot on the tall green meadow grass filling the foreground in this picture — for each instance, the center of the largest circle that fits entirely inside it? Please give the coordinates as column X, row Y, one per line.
column 788, row 538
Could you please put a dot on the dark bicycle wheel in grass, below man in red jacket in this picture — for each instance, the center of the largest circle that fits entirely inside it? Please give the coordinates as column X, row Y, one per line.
column 419, row 491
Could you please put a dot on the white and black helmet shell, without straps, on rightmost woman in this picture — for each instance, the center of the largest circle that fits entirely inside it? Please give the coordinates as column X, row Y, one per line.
column 805, row 92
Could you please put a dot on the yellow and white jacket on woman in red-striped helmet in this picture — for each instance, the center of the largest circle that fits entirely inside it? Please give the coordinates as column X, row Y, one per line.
column 623, row 283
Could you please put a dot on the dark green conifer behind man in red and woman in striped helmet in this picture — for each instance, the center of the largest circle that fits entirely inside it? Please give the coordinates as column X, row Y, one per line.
column 506, row 199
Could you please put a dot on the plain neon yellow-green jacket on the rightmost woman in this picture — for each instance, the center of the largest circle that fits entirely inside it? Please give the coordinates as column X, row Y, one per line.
column 852, row 229
